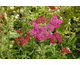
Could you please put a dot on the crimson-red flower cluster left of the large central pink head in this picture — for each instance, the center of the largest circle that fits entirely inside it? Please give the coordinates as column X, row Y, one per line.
column 21, row 39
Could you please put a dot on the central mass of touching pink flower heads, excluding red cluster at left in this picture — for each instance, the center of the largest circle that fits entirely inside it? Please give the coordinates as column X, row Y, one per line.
column 42, row 32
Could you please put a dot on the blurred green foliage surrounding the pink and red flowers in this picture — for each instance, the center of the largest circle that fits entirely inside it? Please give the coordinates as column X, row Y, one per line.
column 19, row 17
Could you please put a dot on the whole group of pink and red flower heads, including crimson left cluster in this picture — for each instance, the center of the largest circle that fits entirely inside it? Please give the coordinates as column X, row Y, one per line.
column 42, row 32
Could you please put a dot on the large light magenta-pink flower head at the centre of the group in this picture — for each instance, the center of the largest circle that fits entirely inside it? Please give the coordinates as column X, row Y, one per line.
column 39, row 32
